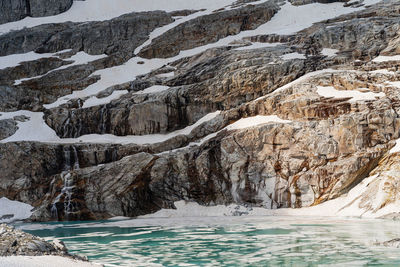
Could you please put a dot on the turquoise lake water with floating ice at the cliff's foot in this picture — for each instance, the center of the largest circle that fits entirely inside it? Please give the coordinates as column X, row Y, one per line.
column 229, row 241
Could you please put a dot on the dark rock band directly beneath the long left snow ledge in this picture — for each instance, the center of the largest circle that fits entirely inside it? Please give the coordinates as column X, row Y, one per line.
column 28, row 166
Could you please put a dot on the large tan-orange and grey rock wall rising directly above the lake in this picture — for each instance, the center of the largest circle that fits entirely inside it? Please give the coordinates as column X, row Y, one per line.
column 330, row 145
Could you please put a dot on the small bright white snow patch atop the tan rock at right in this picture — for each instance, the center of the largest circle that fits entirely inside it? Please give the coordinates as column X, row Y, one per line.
column 330, row 91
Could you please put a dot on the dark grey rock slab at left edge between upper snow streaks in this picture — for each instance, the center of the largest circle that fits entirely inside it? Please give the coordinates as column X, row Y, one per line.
column 31, row 94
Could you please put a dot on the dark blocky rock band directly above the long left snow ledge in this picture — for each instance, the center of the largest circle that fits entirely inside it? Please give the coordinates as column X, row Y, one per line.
column 137, row 116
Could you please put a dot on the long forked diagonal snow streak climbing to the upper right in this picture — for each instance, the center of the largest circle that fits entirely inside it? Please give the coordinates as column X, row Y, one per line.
column 288, row 20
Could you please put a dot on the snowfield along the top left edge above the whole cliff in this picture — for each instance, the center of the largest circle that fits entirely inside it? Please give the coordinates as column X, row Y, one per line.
column 98, row 10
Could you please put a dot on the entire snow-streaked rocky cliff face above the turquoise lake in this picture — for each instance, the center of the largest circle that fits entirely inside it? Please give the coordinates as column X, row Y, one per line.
column 217, row 106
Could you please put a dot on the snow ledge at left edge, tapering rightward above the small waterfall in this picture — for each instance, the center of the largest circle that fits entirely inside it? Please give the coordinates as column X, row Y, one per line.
column 43, row 133
